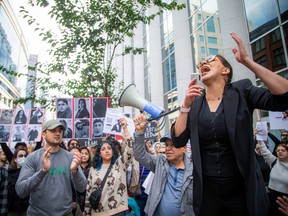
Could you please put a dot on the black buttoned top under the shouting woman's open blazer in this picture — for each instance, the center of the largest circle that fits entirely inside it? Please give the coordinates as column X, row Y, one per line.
column 216, row 153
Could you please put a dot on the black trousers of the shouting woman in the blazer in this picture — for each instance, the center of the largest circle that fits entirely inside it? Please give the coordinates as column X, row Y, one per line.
column 223, row 197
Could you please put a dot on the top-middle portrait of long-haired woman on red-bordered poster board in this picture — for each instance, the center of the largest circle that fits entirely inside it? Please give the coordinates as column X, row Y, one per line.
column 82, row 107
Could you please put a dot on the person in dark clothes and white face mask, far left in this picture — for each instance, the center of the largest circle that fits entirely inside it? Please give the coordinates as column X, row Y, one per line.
column 16, row 205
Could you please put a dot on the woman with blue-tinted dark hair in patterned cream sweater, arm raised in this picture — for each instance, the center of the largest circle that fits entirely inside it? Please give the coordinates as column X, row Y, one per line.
column 114, row 200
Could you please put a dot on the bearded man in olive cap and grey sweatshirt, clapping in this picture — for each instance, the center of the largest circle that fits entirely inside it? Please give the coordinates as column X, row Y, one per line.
column 47, row 175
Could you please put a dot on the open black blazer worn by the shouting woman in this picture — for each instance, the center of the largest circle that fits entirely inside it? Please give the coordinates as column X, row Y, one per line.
column 240, row 99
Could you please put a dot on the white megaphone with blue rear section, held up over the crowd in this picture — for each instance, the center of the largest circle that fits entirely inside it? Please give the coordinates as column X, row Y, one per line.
column 131, row 97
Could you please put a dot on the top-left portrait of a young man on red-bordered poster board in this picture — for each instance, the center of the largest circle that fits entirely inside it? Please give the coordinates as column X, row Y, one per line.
column 64, row 108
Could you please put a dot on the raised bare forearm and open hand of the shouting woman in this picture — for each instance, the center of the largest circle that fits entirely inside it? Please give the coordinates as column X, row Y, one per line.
column 275, row 83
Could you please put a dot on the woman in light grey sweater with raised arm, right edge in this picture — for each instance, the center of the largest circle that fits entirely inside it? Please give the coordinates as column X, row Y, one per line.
column 278, row 182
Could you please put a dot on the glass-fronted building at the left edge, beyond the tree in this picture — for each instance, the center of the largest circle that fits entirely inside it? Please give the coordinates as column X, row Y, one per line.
column 13, row 56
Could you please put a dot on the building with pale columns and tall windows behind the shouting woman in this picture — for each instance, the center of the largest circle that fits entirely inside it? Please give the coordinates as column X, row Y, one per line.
column 177, row 41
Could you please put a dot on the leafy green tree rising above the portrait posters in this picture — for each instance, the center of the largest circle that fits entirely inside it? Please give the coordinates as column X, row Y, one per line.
column 90, row 32
